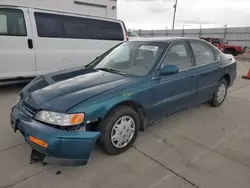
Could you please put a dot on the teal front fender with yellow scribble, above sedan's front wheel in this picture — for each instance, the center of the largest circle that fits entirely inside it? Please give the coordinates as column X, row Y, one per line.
column 99, row 106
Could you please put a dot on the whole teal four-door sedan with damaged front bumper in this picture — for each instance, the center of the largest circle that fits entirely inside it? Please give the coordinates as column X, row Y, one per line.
column 108, row 101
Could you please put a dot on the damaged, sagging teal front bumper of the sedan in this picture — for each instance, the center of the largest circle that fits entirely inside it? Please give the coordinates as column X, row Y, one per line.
column 62, row 144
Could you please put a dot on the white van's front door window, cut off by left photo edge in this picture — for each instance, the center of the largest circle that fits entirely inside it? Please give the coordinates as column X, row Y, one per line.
column 12, row 22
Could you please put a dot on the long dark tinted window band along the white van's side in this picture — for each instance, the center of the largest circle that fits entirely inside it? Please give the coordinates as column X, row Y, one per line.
column 51, row 25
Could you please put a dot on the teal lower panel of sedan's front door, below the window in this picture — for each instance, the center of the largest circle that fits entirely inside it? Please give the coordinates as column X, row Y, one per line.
column 172, row 93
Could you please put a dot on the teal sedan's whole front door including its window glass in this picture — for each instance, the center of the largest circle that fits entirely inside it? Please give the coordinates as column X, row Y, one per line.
column 173, row 93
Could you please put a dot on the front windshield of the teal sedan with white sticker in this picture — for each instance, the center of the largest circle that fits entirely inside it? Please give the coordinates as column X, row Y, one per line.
column 131, row 58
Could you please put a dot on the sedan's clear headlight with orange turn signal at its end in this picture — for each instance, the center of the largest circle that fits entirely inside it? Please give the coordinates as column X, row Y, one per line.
column 60, row 118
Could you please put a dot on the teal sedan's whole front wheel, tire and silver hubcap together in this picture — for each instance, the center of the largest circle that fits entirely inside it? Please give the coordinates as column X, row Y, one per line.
column 119, row 130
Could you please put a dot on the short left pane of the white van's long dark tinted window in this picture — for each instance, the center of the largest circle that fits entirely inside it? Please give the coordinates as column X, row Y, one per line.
column 49, row 25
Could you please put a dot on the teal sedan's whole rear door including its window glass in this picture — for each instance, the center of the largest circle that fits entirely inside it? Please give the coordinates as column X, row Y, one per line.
column 207, row 69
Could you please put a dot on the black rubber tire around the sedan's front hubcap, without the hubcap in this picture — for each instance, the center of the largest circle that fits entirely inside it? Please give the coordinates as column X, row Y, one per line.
column 106, row 125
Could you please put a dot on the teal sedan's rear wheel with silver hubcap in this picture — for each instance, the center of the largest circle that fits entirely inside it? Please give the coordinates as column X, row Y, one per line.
column 220, row 93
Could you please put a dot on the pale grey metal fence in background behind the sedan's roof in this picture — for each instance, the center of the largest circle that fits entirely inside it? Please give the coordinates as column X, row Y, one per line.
column 235, row 35
